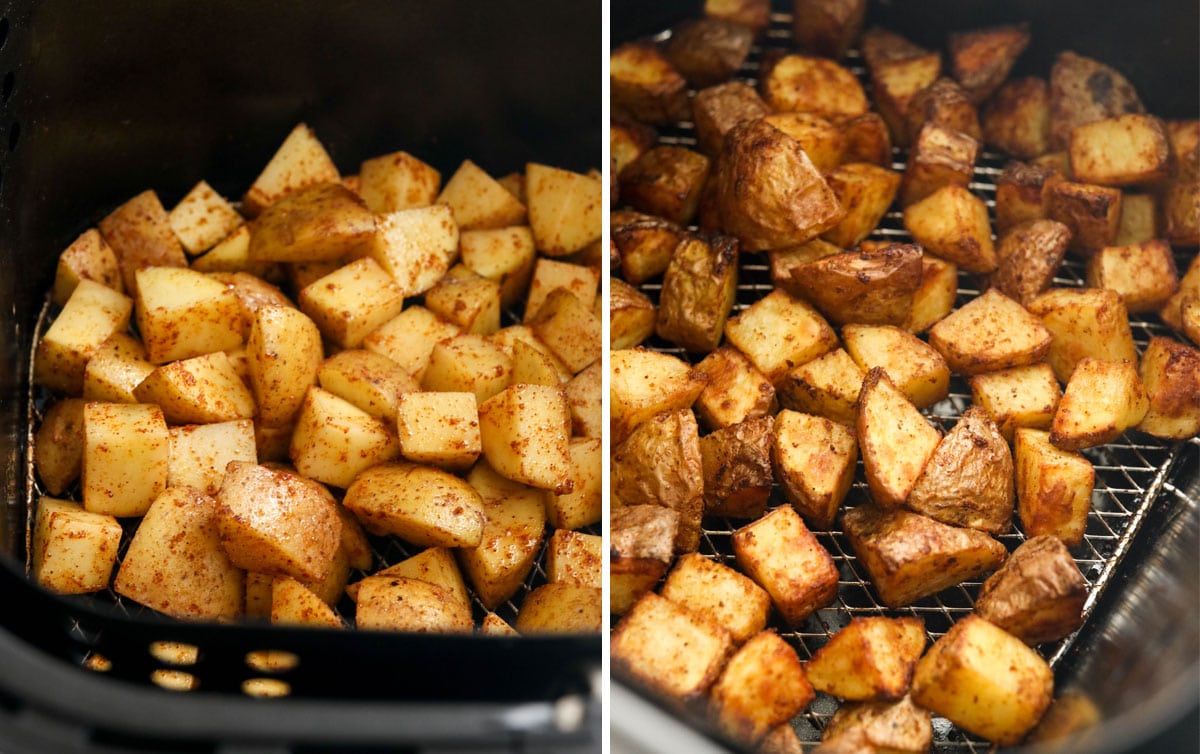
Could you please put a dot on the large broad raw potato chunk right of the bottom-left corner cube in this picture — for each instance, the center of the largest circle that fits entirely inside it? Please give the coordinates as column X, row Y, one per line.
column 176, row 564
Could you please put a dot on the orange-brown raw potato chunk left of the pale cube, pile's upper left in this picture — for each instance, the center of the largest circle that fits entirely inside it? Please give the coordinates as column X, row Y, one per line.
column 141, row 236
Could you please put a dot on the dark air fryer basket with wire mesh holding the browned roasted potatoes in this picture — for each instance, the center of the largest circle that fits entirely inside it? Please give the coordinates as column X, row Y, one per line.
column 1137, row 656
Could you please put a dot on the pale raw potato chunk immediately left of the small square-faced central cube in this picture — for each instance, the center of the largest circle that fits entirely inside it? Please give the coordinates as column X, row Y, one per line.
column 334, row 440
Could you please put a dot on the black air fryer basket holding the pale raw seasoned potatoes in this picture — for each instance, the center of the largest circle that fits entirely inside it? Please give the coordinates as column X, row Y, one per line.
column 103, row 100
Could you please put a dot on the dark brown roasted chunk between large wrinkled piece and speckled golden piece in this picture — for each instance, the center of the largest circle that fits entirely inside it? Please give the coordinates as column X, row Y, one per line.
column 736, row 462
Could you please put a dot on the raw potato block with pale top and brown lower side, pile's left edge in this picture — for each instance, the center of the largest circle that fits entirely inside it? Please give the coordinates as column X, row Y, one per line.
column 92, row 316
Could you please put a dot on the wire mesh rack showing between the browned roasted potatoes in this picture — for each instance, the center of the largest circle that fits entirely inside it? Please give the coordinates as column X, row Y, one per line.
column 1130, row 472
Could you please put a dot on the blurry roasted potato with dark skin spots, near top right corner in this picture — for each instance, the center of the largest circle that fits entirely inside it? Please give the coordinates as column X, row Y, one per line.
column 1084, row 91
